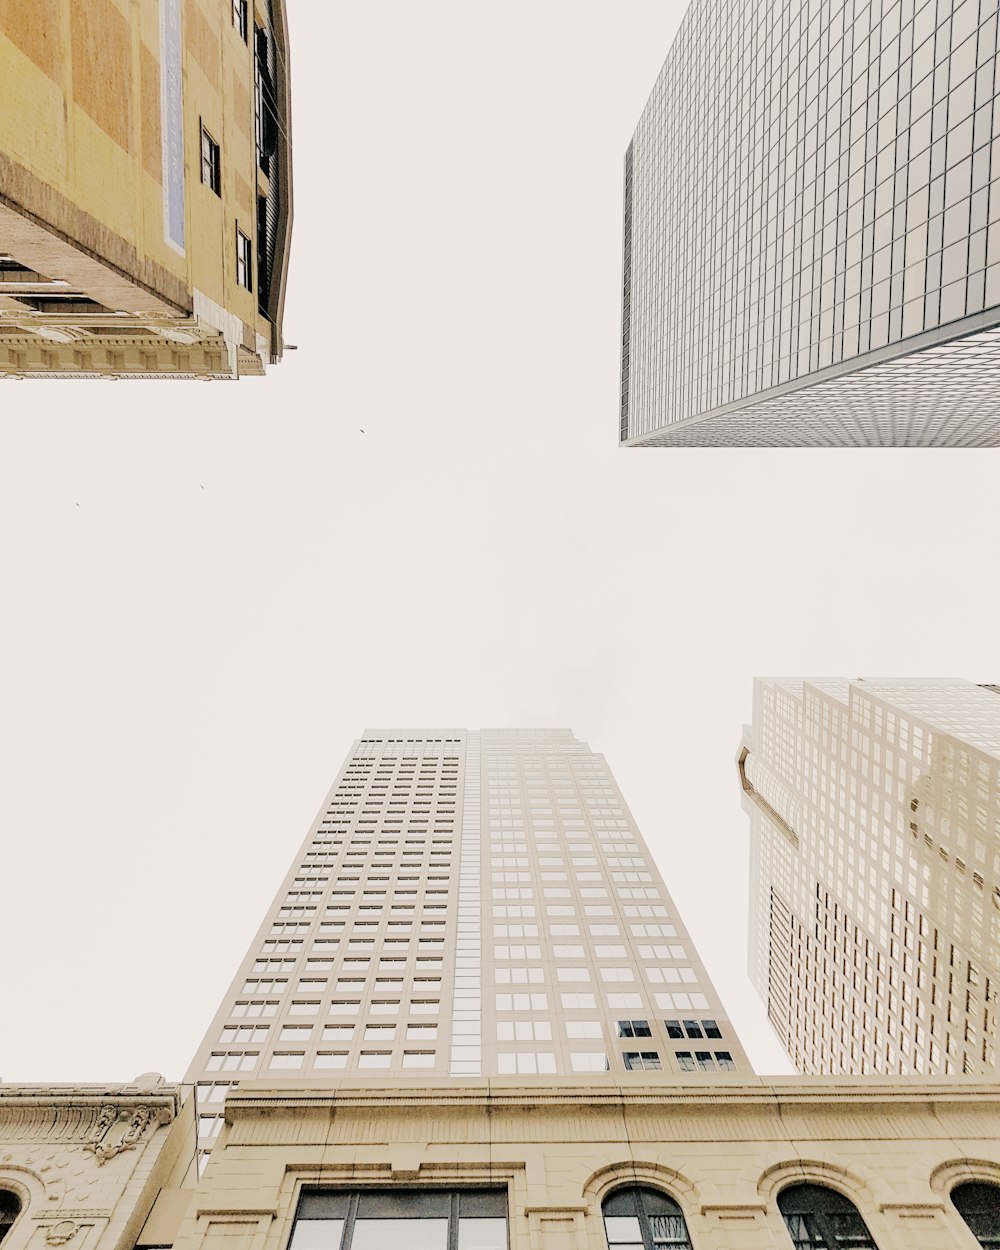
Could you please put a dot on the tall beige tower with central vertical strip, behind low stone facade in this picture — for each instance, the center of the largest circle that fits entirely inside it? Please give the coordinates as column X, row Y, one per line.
column 468, row 904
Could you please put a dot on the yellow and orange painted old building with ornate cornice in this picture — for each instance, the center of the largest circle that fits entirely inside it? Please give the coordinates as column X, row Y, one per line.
column 146, row 189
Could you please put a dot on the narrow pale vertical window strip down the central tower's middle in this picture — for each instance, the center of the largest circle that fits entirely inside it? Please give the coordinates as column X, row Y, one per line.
column 467, row 1019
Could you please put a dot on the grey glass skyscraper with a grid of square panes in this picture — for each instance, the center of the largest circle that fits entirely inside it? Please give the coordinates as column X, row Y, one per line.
column 813, row 231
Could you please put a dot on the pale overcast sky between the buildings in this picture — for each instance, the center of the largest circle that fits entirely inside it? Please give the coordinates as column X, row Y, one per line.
column 419, row 518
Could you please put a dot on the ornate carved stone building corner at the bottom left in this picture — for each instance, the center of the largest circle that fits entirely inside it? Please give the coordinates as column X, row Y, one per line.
column 88, row 1162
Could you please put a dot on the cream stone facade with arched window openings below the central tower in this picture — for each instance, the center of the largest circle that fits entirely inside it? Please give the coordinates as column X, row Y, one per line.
column 722, row 1152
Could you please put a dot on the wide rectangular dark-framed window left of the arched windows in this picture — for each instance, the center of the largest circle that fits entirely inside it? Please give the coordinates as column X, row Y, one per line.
column 422, row 1219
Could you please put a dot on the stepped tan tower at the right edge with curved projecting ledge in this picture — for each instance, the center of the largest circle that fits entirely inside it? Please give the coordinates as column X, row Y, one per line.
column 876, row 872
